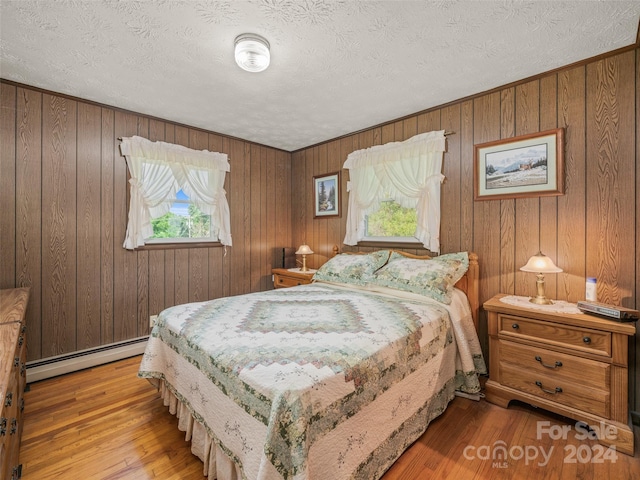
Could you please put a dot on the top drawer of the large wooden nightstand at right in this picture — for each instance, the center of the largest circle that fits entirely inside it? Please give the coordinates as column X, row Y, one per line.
column 591, row 341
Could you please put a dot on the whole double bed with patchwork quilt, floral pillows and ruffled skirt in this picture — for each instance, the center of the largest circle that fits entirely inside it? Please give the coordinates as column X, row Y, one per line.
column 335, row 379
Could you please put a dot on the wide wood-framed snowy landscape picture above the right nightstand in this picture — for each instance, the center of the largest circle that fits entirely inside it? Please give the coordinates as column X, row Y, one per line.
column 525, row 166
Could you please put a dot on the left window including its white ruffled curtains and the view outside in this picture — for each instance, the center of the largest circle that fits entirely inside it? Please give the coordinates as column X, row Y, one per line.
column 177, row 194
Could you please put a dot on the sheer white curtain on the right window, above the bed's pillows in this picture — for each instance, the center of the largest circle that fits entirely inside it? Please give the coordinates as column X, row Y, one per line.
column 408, row 172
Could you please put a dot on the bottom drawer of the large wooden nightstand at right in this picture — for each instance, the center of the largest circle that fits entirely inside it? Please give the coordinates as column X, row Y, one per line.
column 556, row 389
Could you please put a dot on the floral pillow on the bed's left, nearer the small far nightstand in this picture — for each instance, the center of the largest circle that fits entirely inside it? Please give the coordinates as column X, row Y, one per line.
column 353, row 269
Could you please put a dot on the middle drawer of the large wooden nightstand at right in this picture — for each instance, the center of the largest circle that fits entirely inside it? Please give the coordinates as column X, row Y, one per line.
column 556, row 365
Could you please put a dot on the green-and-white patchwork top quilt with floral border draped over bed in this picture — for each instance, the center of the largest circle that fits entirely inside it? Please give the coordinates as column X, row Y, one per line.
column 301, row 361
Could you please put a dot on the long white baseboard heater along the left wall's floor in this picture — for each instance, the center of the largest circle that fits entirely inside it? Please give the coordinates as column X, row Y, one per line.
column 91, row 357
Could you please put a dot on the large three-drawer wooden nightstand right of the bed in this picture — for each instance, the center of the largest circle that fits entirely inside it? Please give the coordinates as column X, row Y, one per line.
column 575, row 365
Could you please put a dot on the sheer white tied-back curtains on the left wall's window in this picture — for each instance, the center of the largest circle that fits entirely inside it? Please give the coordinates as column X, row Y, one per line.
column 158, row 171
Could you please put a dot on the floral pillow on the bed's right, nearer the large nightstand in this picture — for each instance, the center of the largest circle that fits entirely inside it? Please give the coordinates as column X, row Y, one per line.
column 434, row 277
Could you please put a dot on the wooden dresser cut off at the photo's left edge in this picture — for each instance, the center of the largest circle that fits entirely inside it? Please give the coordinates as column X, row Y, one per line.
column 13, row 359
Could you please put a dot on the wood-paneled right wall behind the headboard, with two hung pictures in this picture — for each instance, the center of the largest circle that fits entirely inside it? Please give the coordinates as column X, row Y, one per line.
column 592, row 230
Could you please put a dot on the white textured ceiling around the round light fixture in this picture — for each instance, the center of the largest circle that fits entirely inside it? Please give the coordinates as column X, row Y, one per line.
column 337, row 66
